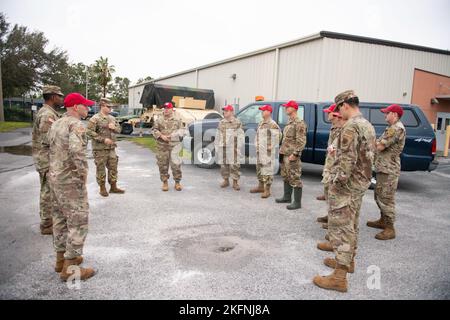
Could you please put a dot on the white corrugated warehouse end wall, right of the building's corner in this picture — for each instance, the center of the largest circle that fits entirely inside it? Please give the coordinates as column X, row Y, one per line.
column 377, row 73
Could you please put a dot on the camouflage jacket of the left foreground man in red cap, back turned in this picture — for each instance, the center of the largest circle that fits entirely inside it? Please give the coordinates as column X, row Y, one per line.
column 68, row 141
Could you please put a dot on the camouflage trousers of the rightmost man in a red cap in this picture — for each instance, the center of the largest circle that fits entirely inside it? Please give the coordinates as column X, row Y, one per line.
column 385, row 195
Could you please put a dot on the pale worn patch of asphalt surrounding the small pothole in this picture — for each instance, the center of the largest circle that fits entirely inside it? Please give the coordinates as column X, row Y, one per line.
column 216, row 252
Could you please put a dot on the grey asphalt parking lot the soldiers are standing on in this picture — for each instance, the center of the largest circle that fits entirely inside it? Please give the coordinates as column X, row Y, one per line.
column 206, row 243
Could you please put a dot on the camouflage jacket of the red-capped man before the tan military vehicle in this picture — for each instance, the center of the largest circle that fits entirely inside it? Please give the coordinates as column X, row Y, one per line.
column 169, row 126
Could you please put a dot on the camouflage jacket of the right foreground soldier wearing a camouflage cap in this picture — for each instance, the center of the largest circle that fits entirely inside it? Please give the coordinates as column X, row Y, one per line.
column 352, row 168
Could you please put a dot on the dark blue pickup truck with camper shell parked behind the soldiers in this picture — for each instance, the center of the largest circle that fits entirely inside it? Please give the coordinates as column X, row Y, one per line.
column 418, row 154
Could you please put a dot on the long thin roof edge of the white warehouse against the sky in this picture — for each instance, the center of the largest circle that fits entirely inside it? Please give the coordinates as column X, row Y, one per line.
column 316, row 36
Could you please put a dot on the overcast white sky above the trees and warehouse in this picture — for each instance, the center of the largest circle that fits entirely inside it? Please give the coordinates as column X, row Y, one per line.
column 160, row 37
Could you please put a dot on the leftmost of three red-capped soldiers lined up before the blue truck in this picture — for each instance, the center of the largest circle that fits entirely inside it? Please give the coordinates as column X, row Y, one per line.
column 228, row 143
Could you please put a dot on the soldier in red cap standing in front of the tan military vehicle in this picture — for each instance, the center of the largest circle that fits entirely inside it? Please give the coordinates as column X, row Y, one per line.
column 169, row 131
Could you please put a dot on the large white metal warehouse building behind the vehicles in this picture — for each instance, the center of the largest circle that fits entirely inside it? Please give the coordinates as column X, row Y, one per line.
column 314, row 68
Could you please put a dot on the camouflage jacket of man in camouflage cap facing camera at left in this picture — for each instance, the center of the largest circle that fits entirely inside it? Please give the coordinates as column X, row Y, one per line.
column 98, row 131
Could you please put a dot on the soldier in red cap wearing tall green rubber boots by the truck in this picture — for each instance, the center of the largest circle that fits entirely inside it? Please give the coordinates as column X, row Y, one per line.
column 292, row 145
